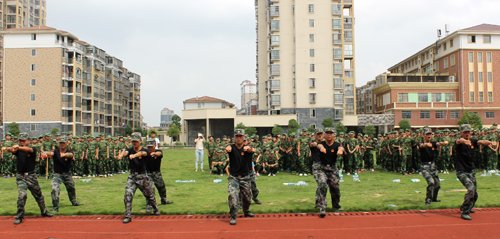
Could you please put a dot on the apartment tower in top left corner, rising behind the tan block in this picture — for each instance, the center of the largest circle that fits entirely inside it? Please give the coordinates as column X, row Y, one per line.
column 19, row 14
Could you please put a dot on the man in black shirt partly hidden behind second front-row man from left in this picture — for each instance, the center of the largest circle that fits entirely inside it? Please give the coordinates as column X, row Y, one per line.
column 153, row 166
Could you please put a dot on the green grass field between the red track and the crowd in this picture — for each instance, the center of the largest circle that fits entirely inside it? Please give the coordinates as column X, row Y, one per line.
column 374, row 193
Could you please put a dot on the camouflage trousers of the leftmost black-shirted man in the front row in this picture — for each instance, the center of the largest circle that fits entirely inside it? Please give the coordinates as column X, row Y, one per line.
column 25, row 182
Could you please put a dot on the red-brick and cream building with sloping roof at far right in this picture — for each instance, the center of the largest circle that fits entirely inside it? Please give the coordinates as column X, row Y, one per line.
column 461, row 71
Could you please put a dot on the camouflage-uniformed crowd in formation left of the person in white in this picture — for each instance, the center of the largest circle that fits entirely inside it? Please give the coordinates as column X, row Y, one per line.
column 95, row 156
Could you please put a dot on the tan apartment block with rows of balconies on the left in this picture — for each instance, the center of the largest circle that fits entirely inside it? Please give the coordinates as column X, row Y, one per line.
column 54, row 80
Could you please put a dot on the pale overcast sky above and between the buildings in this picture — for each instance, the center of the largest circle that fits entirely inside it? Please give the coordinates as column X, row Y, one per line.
column 183, row 49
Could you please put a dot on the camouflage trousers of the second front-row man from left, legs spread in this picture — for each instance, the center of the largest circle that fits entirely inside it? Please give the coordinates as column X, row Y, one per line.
column 140, row 181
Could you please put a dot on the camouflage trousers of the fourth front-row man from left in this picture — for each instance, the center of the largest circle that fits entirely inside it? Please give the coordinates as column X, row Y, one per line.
column 328, row 178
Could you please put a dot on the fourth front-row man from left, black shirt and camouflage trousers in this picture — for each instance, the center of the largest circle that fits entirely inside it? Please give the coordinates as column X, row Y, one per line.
column 328, row 177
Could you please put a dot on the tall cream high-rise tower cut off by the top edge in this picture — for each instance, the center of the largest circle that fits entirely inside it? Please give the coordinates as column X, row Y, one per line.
column 305, row 59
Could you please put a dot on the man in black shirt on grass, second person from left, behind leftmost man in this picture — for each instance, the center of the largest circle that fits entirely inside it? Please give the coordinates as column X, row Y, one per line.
column 63, row 158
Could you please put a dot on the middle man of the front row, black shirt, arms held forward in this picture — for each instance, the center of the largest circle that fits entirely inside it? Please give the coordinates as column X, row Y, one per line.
column 240, row 175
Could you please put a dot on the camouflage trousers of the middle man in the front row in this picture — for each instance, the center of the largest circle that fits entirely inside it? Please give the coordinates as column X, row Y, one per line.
column 235, row 186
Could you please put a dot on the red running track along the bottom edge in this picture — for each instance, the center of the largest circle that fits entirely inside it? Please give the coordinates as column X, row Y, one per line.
column 400, row 224
